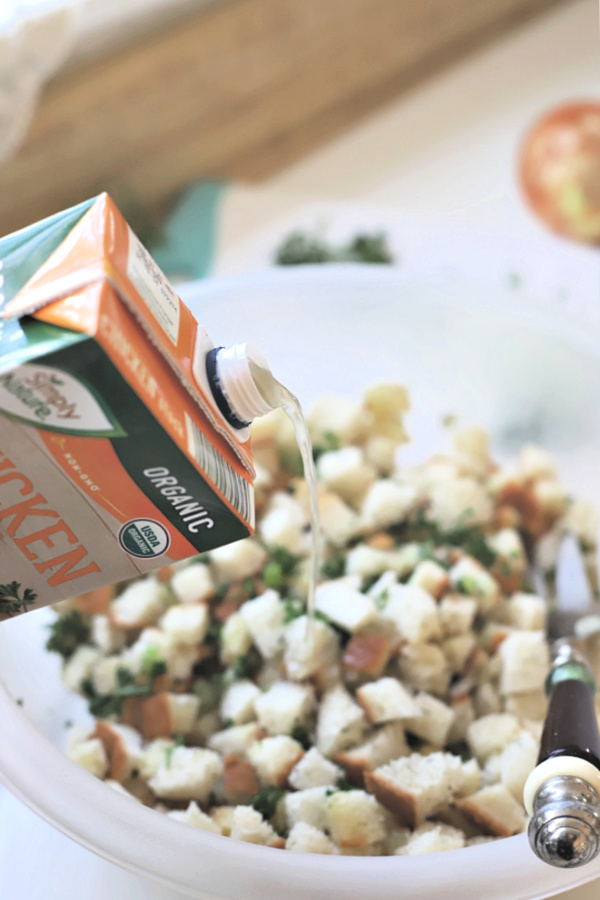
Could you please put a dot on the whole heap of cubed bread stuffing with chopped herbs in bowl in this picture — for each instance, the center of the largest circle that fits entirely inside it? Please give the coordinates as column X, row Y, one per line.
column 405, row 716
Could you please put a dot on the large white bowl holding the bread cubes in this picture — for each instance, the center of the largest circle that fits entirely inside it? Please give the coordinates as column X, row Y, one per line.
column 493, row 360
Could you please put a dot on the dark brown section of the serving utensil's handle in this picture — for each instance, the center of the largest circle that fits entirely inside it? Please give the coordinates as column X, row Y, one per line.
column 571, row 728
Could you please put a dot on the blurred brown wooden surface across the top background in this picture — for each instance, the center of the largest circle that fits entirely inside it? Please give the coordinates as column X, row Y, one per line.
column 236, row 90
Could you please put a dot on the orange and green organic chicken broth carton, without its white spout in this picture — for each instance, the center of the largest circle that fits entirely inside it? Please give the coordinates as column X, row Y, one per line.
column 114, row 456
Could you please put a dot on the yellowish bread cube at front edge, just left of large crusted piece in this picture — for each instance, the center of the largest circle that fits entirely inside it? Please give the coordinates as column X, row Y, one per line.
column 354, row 819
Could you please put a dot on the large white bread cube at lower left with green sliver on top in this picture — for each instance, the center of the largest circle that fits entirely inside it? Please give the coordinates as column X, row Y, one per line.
column 189, row 774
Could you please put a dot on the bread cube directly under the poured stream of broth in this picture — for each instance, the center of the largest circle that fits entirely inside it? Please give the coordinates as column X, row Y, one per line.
column 309, row 649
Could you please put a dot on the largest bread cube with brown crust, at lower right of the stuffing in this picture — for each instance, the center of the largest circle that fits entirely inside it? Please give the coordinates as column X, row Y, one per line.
column 415, row 787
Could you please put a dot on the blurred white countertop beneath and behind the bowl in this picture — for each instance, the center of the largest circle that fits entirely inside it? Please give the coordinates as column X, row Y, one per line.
column 439, row 163
